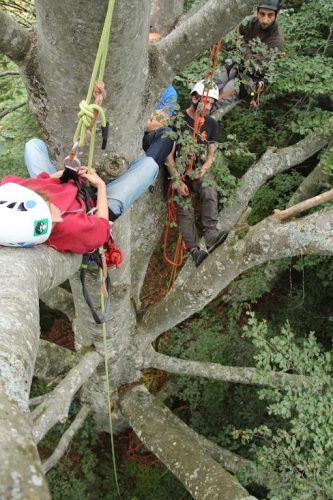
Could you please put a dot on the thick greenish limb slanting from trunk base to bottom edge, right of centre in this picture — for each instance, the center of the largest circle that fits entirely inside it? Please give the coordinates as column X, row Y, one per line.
column 174, row 444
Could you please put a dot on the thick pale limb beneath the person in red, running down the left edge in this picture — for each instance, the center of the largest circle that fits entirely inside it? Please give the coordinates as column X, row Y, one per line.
column 24, row 274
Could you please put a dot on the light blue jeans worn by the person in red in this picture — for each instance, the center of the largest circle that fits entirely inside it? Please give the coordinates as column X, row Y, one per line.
column 121, row 193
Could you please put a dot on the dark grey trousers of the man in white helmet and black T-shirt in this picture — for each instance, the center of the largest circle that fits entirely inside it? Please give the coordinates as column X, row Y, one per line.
column 209, row 212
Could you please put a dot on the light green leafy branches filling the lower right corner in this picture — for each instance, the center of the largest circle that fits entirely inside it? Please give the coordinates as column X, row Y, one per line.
column 298, row 455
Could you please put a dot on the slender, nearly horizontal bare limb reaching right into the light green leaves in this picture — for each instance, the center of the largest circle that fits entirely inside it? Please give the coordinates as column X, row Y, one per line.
column 216, row 371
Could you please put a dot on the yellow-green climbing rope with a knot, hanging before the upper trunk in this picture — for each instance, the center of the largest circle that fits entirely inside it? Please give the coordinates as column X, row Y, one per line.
column 87, row 110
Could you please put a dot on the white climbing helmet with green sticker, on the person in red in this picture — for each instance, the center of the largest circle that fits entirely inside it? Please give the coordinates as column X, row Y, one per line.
column 25, row 218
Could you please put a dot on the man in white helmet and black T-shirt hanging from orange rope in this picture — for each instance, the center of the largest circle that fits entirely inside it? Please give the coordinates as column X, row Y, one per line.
column 203, row 96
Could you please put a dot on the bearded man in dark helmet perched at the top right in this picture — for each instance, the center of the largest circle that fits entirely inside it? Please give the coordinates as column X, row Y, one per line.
column 264, row 27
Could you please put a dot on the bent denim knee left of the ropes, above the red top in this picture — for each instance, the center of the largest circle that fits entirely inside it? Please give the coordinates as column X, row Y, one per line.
column 37, row 159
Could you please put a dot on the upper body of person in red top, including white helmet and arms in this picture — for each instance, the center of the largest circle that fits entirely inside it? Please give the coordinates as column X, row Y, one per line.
column 73, row 229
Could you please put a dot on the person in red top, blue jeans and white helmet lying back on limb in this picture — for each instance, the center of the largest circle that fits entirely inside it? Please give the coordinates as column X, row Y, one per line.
column 71, row 228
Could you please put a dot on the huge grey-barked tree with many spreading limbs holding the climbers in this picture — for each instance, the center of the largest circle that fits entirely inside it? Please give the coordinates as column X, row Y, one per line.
column 55, row 58
